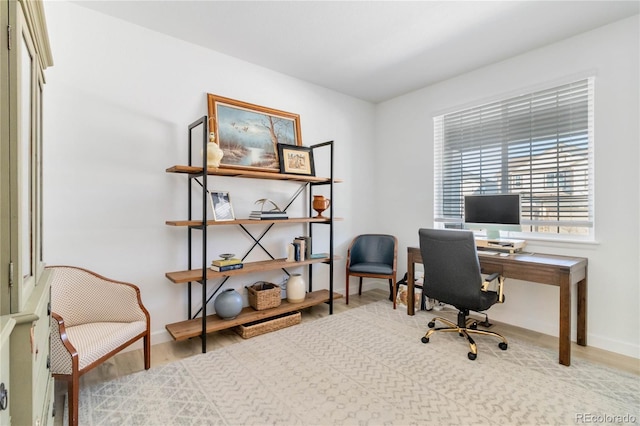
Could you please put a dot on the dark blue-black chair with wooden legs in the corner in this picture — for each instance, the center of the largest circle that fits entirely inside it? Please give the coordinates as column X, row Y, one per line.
column 373, row 256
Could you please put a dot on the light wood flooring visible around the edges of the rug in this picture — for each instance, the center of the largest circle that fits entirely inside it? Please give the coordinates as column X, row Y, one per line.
column 163, row 353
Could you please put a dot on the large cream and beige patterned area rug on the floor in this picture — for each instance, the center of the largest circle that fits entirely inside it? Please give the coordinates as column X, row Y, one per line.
column 366, row 366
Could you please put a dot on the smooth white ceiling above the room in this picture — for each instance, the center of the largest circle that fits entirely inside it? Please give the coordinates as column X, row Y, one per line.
column 372, row 50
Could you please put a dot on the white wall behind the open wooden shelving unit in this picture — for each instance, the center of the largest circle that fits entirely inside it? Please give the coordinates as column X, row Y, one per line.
column 118, row 101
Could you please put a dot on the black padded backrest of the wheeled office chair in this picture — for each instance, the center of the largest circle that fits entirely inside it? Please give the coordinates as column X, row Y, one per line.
column 451, row 268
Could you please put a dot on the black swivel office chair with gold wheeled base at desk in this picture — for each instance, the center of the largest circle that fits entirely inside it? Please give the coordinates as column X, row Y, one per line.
column 452, row 276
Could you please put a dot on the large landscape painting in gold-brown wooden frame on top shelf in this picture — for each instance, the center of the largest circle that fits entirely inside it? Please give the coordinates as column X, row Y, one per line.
column 248, row 134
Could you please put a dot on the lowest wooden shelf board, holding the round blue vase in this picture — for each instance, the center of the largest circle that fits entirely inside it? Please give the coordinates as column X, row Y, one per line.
column 193, row 328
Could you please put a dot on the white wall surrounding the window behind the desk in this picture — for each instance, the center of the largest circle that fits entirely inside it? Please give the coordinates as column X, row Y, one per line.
column 405, row 174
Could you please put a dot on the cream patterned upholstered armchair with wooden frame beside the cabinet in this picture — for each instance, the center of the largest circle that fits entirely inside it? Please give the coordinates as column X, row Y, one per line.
column 92, row 319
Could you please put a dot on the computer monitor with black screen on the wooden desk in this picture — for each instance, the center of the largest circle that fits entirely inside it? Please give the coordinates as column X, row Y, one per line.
column 492, row 213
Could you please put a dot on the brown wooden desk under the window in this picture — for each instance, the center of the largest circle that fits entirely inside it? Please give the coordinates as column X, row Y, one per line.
column 561, row 271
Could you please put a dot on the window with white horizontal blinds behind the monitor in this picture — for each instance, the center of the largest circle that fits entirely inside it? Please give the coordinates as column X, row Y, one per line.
column 539, row 145
